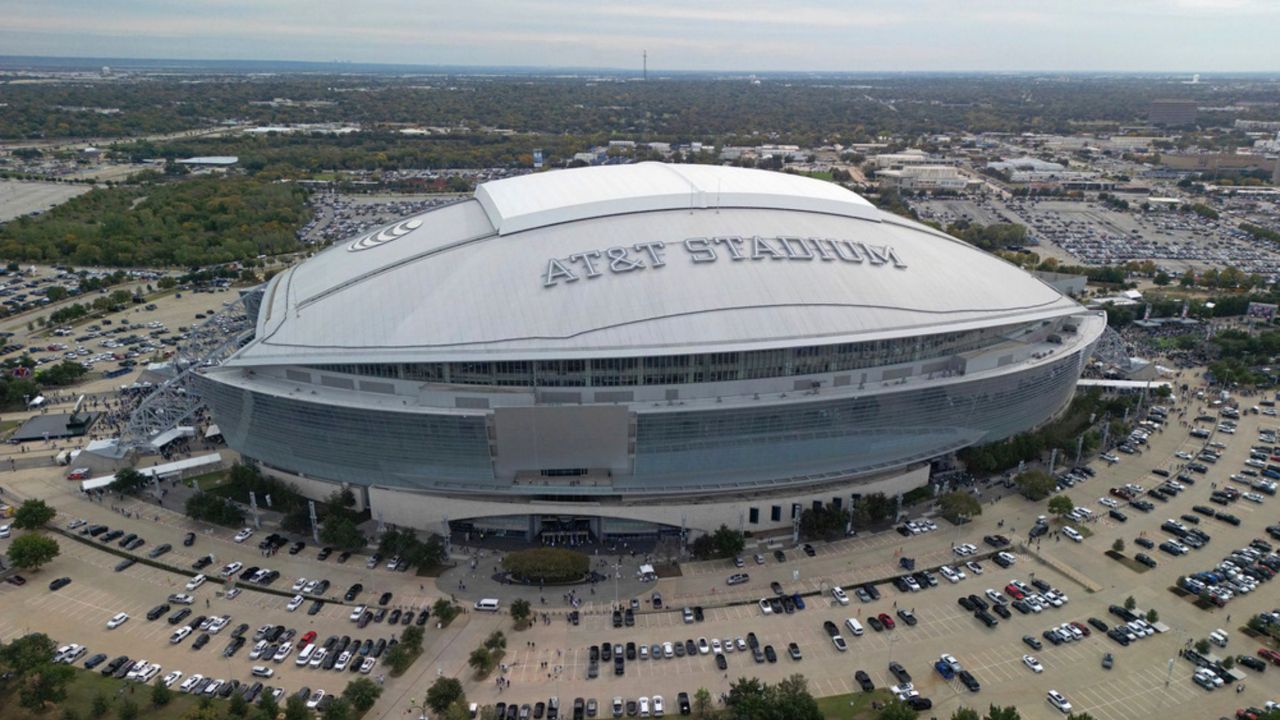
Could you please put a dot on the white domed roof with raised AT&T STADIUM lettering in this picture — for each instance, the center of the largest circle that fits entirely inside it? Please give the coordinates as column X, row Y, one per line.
column 524, row 271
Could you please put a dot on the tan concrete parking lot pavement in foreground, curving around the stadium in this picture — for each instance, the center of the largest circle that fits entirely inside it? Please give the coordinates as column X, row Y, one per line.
column 552, row 659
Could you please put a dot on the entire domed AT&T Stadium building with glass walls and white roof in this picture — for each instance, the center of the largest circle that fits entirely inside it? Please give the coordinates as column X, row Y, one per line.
column 634, row 350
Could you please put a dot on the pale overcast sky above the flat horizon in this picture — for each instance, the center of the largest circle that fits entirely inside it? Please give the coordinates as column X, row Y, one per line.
column 680, row 35
